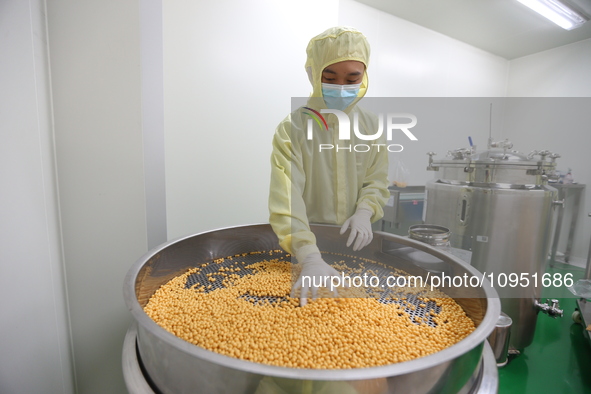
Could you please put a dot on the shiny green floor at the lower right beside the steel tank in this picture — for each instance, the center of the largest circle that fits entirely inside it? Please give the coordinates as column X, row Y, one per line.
column 559, row 359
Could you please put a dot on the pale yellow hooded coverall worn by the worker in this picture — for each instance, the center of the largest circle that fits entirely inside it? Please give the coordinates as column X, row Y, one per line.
column 312, row 186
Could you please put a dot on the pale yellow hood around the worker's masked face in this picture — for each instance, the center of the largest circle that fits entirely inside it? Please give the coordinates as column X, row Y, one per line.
column 335, row 45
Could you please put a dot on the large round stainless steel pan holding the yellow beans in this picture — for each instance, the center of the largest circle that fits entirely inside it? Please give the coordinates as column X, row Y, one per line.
column 176, row 366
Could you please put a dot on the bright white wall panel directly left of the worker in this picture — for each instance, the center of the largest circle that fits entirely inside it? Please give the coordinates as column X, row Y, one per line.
column 230, row 70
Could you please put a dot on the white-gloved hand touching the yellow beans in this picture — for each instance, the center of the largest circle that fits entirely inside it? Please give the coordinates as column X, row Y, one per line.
column 316, row 271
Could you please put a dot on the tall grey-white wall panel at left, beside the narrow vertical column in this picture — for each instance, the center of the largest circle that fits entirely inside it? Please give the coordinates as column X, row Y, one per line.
column 95, row 74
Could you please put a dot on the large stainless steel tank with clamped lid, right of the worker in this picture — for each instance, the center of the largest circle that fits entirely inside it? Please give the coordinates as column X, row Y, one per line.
column 499, row 207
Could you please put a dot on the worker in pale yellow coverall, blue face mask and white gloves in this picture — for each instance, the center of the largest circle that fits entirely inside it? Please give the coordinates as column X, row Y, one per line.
column 331, row 186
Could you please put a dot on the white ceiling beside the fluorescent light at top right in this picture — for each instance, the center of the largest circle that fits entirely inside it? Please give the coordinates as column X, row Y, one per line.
column 505, row 28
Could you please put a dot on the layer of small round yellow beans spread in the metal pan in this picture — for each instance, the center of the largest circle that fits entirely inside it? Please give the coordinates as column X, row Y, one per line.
column 327, row 333
